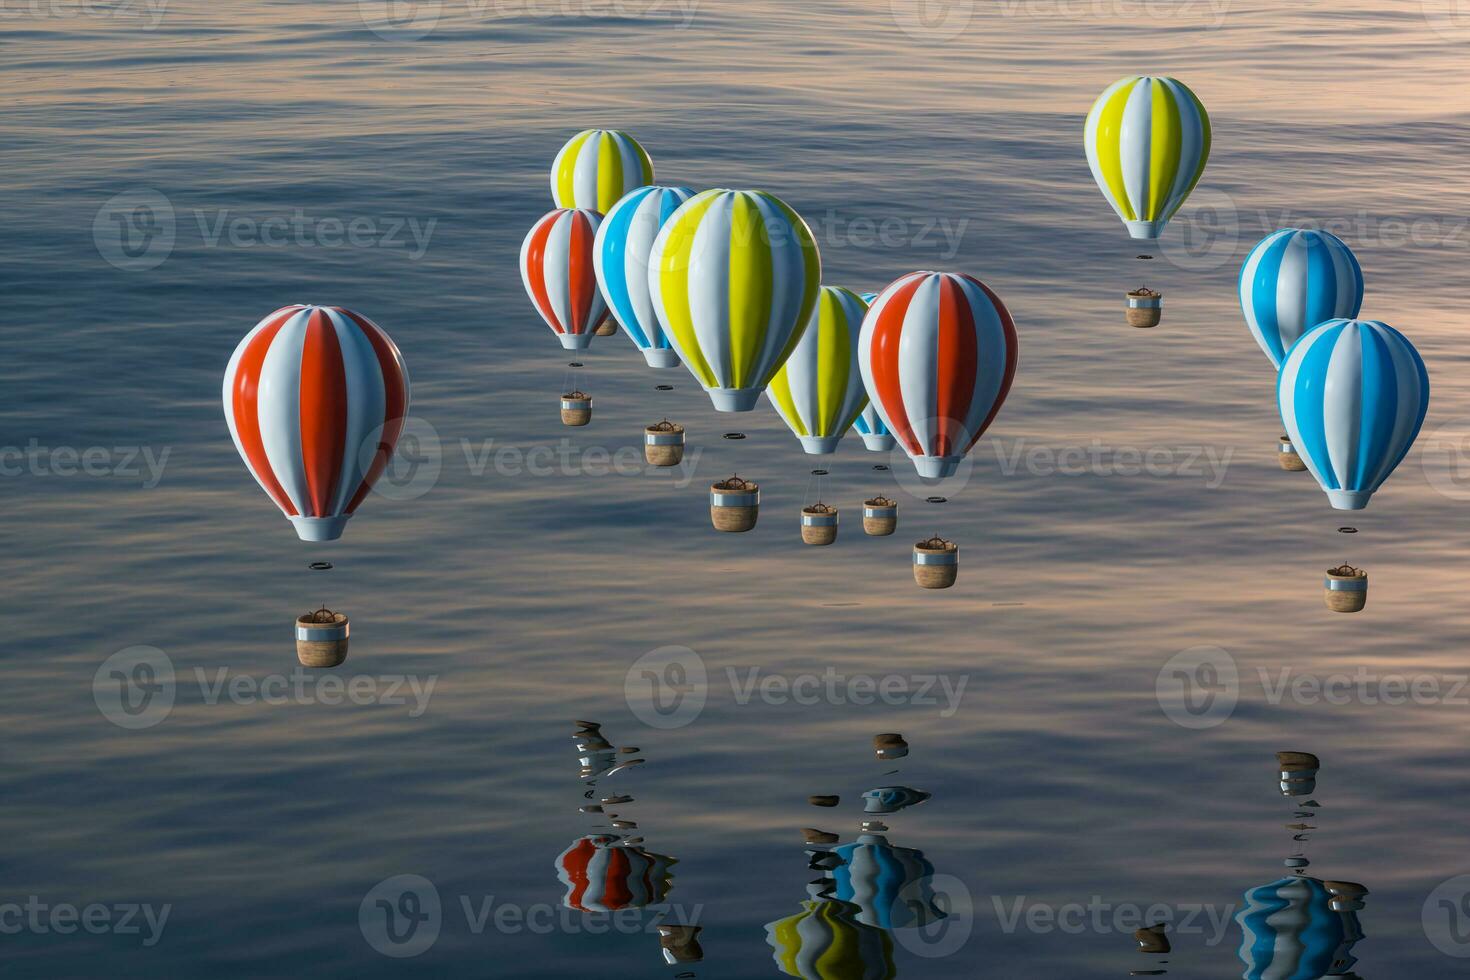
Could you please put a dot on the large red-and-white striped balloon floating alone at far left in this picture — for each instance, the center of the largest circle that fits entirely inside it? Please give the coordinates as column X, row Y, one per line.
column 315, row 399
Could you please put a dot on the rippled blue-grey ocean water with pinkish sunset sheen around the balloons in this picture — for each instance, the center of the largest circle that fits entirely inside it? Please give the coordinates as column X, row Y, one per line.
column 508, row 580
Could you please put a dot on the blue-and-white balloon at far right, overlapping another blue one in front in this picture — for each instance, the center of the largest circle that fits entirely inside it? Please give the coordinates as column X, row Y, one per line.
column 1353, row 396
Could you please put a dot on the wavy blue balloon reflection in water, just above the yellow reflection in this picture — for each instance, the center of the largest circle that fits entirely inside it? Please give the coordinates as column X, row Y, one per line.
column 890, row 885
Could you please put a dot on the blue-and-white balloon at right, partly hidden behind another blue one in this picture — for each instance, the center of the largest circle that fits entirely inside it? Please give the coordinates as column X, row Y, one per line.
column 1293, row 281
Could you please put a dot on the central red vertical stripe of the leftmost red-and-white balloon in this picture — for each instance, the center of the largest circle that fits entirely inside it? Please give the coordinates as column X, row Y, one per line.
column 324, row 414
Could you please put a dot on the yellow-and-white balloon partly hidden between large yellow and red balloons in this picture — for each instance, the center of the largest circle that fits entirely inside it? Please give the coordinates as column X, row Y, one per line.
column 820, row 390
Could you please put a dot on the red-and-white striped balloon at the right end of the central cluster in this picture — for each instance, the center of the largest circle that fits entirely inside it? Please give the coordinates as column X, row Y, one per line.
column 939, row 355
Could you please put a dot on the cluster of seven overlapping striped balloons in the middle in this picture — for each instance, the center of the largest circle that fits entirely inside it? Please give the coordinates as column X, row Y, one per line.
column 730, row 284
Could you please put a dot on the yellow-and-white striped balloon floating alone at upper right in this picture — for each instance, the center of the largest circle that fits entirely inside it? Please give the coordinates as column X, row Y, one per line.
column 1147, row 142
